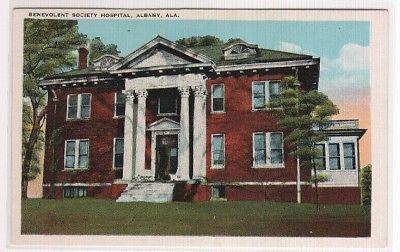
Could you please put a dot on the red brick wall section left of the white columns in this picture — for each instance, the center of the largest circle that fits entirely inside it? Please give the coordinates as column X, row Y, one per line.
column 100, row 129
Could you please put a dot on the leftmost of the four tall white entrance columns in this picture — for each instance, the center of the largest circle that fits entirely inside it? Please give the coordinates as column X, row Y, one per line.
column 127, row 170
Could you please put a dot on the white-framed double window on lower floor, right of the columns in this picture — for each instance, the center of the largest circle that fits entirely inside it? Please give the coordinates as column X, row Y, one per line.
column 268, row 163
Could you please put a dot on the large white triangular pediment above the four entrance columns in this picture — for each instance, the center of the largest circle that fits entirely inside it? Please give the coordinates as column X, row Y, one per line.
column 160, row 52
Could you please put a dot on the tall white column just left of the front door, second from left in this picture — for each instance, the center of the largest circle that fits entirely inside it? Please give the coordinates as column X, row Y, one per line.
column 140, row 133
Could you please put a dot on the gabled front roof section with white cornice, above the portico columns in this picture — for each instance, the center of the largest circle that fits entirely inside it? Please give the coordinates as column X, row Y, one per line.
column 160, row 45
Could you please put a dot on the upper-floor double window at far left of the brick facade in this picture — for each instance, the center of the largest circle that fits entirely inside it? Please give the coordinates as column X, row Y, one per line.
column 78, row 106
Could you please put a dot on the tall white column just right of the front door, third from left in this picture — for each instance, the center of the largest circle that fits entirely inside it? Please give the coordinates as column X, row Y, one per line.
column 183, row 155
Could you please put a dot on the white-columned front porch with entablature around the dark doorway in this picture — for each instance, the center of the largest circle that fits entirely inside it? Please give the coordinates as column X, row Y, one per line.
column 161, row 147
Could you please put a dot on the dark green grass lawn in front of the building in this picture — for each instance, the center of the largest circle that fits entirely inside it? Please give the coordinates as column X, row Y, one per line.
column 98, row 216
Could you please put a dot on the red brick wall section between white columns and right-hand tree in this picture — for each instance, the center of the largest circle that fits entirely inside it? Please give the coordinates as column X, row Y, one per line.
column 238, row 123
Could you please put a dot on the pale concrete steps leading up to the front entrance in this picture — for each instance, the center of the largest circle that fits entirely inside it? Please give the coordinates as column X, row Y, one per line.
column 147, row 192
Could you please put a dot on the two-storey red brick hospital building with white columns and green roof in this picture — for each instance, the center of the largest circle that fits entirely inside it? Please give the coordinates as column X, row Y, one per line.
column 168, row 122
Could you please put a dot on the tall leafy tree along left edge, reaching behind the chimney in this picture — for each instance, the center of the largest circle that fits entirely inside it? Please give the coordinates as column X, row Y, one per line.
column 49, row 48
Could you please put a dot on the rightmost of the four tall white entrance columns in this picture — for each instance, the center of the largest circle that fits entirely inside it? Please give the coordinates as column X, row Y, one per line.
column 199, row 132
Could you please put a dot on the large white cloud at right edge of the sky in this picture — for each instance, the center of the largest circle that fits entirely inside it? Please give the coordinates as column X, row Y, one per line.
column 354, row 57
